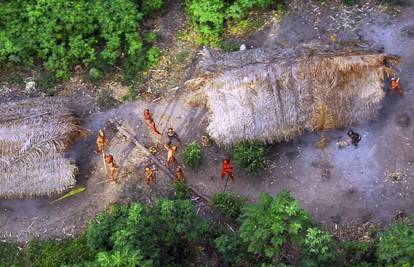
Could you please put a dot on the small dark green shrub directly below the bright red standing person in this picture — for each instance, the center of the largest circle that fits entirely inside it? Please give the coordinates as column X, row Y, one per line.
column 229, row 204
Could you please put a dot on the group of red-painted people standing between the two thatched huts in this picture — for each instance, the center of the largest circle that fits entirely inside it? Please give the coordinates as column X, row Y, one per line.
column 101, row 144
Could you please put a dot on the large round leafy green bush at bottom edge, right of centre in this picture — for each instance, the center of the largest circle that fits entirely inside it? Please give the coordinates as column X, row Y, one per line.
column 273, row 225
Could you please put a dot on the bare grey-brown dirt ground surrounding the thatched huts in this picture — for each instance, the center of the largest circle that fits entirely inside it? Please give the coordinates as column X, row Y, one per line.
column 349, row 182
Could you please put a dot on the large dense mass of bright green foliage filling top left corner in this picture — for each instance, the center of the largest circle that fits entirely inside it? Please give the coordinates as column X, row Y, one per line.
column 60, row 34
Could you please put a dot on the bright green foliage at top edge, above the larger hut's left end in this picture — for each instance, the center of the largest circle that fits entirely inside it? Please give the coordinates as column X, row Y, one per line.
column 208, row 17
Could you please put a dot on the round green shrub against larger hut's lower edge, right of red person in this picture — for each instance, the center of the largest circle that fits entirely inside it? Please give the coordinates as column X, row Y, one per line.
column 250, row 156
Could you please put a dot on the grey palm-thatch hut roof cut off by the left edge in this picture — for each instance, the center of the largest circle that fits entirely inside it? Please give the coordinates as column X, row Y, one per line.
column 34, row 134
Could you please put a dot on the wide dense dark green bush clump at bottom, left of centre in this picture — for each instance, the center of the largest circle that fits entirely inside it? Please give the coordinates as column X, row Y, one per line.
column 165, row 235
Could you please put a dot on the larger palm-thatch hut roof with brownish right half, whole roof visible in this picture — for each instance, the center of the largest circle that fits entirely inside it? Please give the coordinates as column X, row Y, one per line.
column 274, row 95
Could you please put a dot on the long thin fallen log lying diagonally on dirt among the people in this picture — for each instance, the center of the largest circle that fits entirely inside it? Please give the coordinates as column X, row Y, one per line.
column 167, row 171
